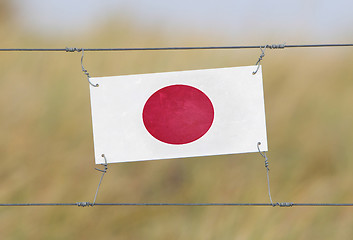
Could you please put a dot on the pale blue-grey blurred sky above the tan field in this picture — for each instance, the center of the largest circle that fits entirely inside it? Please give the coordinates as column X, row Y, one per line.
column 315, row 20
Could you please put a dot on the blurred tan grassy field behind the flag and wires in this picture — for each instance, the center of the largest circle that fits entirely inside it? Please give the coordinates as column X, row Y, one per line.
column 46, row 143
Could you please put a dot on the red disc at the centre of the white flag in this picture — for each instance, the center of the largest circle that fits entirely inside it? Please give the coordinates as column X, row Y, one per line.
column 178, row 114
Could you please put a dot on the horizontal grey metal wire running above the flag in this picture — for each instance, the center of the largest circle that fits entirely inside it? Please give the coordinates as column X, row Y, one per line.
column 273, row 46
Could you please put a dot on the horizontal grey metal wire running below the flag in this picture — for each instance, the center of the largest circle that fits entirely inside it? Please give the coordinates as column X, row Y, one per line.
column 85, row 204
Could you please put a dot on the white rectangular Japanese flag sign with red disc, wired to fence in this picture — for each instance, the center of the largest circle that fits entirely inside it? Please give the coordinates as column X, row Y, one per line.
column 178, row 114
